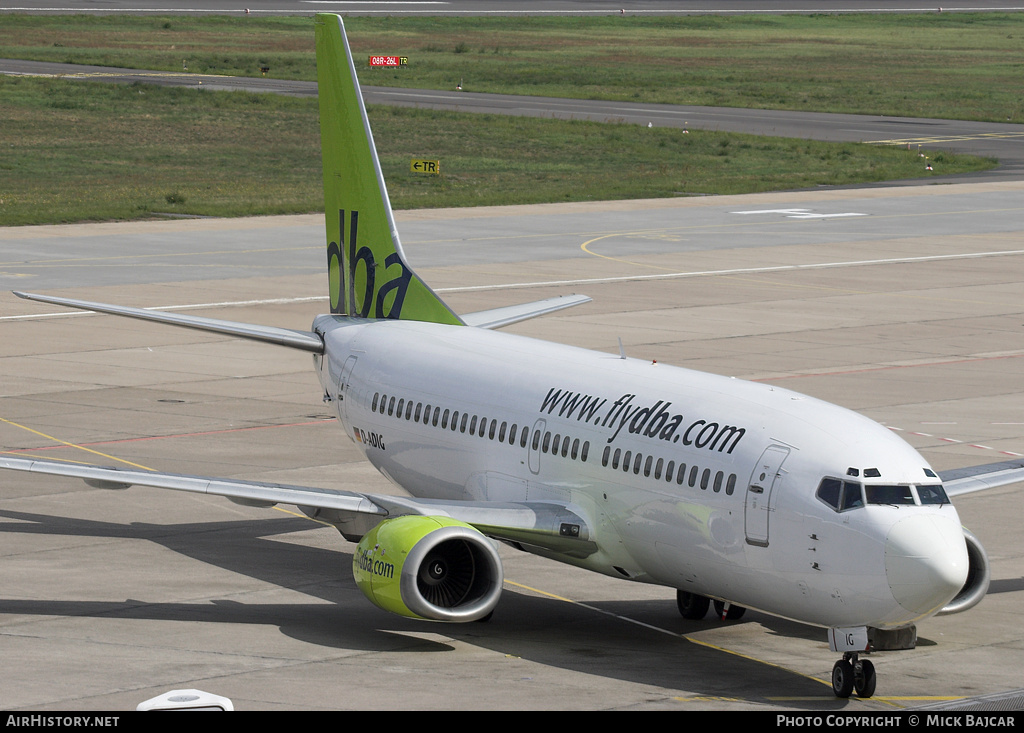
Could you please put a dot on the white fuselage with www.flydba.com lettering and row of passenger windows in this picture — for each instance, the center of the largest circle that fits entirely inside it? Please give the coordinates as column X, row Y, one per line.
column 700, row 483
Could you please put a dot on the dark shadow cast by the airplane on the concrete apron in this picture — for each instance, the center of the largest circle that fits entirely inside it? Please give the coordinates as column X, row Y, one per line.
column 543, row 631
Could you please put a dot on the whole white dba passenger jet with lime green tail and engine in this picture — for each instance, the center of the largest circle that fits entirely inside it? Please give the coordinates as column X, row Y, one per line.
column 735, row 494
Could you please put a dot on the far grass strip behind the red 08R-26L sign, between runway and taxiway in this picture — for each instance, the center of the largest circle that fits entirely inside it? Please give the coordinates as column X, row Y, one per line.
column 950, row 66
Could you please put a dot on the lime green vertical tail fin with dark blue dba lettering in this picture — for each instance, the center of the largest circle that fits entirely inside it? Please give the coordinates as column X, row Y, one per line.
column 368, row 273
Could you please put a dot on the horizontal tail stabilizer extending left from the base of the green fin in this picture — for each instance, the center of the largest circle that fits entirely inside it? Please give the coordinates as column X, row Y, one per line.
column 305, row 340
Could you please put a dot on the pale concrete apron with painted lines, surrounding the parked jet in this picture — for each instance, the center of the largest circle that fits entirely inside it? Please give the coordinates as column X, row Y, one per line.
column 906, row 305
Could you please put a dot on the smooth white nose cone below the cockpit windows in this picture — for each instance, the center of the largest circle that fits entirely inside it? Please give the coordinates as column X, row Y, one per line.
column 926, row 562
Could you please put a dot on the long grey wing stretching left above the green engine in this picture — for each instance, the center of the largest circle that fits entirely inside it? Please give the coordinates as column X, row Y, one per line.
column 549, row 526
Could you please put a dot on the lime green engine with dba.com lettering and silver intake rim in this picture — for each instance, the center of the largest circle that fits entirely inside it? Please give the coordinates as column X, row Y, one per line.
column 430, row 568
